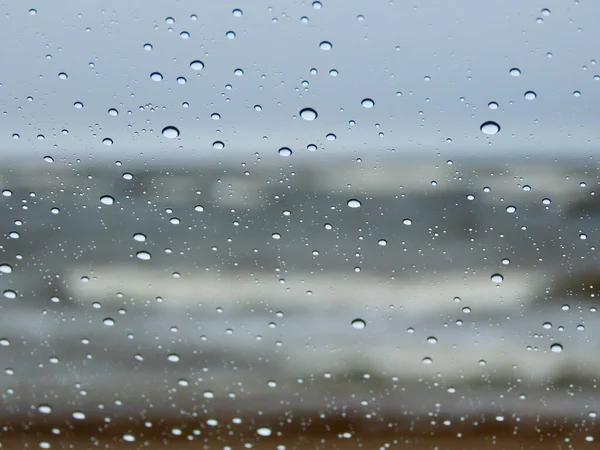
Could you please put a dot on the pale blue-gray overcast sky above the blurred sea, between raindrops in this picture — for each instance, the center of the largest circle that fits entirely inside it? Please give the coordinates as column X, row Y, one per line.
column 466, row 48
